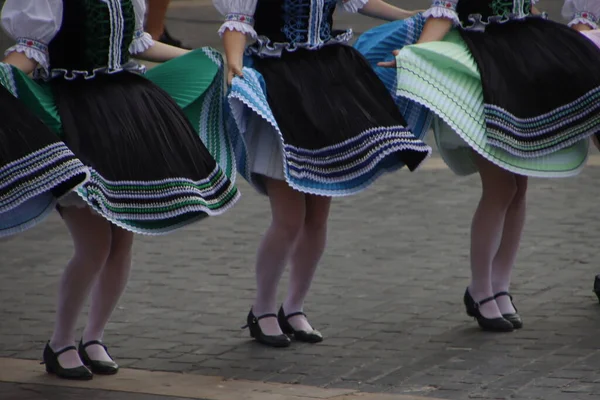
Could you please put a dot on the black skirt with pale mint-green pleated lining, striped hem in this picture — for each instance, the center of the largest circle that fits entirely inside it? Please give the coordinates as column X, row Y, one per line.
column 446, row 78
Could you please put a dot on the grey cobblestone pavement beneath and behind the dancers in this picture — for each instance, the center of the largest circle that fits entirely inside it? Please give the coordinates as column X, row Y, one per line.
column 387, row 296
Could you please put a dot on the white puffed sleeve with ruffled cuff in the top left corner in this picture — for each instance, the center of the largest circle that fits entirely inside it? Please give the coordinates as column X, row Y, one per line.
column 32, row 24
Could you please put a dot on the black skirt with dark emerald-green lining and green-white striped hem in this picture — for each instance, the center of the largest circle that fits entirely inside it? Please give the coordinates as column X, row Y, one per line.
column 151, row 143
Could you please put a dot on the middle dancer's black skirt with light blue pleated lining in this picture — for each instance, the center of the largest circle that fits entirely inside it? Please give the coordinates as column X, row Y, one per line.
column 329, row 119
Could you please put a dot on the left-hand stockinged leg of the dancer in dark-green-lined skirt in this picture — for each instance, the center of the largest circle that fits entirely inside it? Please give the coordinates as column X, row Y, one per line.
column 91, row 236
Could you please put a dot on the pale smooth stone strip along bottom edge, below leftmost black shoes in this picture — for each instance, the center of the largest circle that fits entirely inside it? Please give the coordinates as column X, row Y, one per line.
column 21, row 378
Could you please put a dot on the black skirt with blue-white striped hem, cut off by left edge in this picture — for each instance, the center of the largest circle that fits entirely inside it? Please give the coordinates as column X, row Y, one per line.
column 36, row 167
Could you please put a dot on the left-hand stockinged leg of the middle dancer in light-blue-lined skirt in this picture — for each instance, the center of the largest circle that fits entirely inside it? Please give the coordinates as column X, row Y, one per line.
column 288, row 213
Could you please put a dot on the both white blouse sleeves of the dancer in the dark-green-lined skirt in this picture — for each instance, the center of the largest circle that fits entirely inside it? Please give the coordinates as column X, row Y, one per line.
column 34, row 23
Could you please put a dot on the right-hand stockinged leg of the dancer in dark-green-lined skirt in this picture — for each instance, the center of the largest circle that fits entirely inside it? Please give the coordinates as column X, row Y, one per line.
column 108, row 289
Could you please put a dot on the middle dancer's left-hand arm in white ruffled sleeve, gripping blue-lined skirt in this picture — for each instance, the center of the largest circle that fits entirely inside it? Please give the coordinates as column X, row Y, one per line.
column 239, row 23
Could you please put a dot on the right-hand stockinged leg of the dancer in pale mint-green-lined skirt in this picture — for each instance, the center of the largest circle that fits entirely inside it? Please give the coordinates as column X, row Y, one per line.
column 507, row 253
